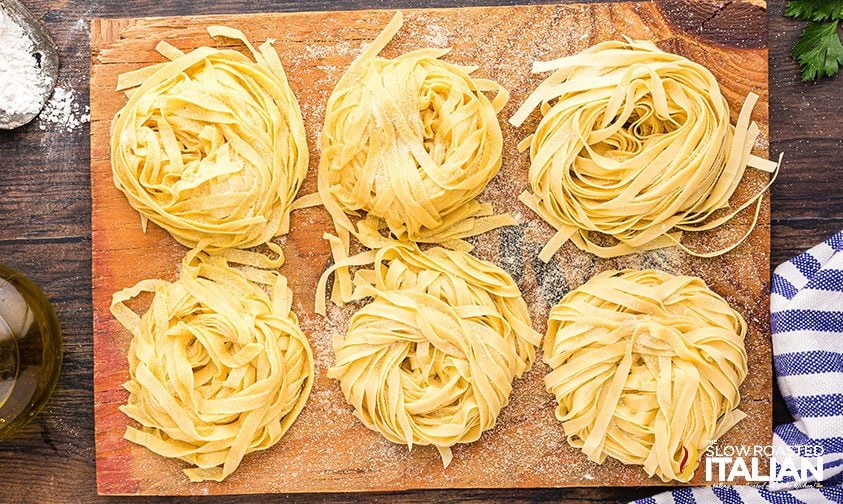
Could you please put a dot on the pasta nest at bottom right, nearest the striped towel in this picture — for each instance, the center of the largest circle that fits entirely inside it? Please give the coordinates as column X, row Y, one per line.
column 646, row 368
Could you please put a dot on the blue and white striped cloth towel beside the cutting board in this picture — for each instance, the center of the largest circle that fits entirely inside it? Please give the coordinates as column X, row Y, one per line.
column 806, row 308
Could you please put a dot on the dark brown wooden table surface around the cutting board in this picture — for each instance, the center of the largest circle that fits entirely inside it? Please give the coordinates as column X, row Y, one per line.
column 45, row 227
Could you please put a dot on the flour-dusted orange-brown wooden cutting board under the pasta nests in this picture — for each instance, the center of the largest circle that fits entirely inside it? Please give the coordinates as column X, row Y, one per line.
column 327, row 449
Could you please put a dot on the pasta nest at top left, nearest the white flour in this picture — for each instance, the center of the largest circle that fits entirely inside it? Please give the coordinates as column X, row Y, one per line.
column 211, row 145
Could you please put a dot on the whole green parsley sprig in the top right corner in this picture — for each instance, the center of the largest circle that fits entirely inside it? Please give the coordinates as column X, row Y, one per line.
column 819, row 50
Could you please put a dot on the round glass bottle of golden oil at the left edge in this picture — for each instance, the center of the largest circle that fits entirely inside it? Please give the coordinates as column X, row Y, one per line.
column 30, row 350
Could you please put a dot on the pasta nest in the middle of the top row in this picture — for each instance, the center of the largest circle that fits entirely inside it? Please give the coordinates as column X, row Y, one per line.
column 410, row 142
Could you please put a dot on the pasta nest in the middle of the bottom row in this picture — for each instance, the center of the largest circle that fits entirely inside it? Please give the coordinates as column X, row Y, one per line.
column 431, row 359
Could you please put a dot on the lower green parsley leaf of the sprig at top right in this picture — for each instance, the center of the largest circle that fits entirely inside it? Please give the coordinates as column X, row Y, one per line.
column 819, row 50
